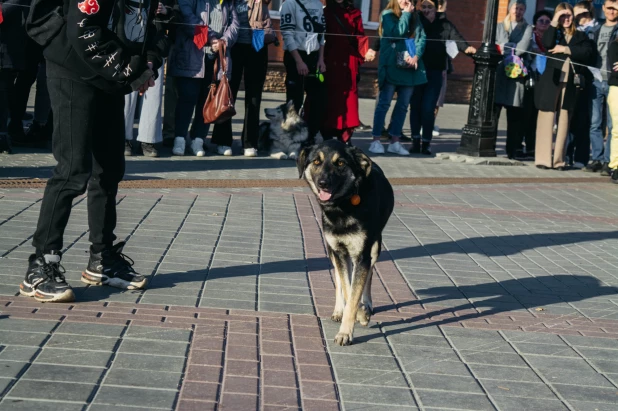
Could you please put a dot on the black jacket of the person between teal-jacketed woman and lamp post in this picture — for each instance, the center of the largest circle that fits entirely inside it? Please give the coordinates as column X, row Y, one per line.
column 438, row 32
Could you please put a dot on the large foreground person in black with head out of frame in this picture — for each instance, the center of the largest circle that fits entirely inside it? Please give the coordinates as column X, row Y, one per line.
column 89, row 70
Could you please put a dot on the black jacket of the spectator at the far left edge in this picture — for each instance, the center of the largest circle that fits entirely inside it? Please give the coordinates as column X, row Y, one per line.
column 13, row 35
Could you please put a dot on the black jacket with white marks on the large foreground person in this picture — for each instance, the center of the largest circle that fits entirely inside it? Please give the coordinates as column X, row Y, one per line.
column 86, row 49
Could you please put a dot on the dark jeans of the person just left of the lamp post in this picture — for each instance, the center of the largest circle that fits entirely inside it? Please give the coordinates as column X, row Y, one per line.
column 423, row 105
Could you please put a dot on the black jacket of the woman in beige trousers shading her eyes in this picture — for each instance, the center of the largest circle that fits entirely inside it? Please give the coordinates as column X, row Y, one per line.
column 547, row 90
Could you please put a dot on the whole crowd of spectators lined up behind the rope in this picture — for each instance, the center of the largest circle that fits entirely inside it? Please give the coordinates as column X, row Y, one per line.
column 324, row 48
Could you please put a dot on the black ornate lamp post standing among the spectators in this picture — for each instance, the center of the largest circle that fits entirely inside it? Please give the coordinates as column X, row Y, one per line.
column 479, row 135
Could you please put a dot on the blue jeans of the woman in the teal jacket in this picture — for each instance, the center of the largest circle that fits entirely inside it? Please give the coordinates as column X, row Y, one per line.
column 404, row 93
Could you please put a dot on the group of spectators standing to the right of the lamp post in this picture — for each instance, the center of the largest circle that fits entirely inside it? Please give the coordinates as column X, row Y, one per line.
column 570, row 57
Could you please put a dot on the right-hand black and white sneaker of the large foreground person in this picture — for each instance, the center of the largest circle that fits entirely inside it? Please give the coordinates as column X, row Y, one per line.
column 111, row 267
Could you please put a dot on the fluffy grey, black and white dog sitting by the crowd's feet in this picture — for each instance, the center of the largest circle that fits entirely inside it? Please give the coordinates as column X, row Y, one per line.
column 285, row 134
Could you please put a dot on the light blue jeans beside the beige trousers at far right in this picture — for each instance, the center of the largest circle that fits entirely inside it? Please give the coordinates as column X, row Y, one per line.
column 600, row 91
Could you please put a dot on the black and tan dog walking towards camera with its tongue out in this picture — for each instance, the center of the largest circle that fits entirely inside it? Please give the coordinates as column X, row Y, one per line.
column 357, row 201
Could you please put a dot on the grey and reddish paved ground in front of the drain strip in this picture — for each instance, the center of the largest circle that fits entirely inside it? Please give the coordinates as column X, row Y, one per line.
column 497, row 297
